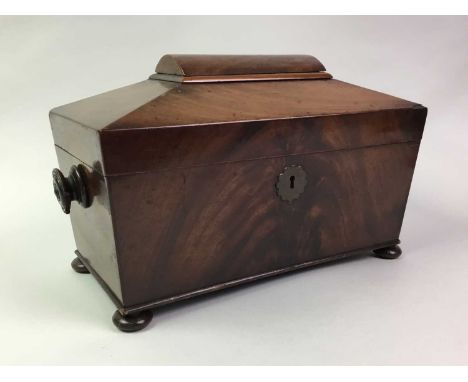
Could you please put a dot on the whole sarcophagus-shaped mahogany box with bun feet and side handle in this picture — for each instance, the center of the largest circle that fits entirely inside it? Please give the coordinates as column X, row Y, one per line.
column 221, row 170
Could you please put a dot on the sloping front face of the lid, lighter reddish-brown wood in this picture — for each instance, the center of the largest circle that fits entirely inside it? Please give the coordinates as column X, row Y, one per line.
column 201, row 104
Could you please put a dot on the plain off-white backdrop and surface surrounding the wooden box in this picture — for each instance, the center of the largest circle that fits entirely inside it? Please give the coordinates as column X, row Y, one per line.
column 365, row 311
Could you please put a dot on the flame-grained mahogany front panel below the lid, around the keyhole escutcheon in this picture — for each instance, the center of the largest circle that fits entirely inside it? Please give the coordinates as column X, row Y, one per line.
column 186, row 229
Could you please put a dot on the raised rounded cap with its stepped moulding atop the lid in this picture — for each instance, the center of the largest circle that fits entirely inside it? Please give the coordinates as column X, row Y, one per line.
column 228, row 68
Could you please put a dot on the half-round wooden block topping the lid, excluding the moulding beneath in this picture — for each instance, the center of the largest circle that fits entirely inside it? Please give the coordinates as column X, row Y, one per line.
column 215, row 65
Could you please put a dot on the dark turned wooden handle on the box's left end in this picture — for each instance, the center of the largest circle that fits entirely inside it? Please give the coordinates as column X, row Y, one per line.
column 71, row 188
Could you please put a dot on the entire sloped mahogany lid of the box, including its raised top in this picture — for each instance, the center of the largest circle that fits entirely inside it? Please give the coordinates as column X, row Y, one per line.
column 234, row 114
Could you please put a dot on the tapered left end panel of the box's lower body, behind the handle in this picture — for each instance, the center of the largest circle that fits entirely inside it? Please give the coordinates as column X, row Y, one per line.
column 92, row 226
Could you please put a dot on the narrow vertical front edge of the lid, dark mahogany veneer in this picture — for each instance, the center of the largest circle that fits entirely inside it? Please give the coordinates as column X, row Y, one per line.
column 142, row 150
